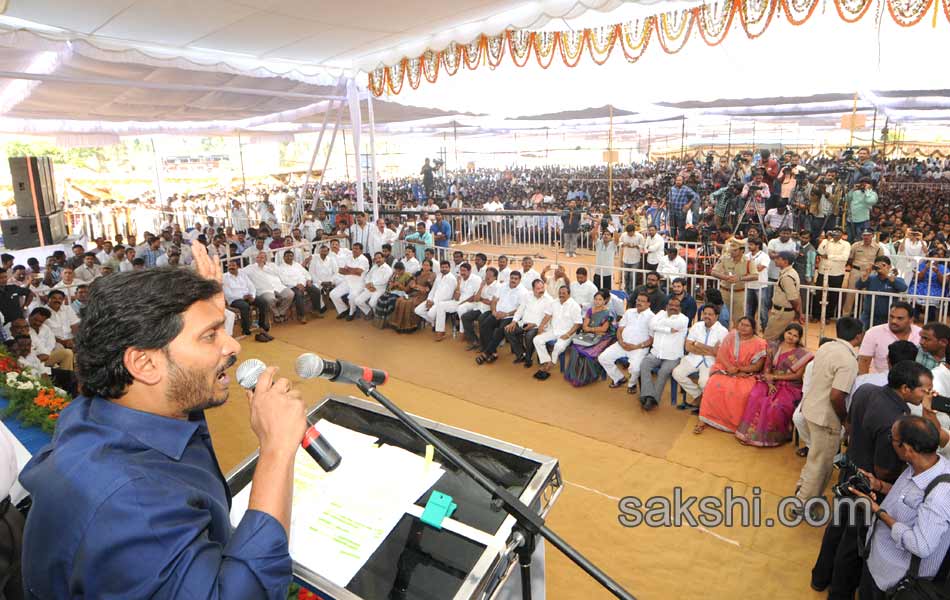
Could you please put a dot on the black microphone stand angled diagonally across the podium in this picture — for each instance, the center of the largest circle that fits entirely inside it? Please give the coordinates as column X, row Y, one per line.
column 529, row 524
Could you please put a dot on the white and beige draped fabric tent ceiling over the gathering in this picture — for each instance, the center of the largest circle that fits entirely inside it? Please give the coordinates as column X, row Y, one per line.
column 196, row 67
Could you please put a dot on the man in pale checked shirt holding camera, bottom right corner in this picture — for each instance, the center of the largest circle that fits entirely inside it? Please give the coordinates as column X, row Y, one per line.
column 914, row 517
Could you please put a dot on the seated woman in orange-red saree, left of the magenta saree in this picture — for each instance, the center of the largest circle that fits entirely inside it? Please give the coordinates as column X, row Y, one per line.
column 740, row 358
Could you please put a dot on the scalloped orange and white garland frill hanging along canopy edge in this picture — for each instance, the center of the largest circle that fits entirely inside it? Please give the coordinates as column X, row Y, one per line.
column 672, row 30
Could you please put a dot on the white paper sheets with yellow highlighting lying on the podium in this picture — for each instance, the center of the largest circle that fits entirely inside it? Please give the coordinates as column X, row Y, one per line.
column 340, row 518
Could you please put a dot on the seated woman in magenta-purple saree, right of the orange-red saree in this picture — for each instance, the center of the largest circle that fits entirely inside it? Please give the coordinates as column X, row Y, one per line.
column 767, row 420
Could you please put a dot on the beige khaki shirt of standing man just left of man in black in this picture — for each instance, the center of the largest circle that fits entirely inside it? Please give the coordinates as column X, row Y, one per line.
column 836, row 366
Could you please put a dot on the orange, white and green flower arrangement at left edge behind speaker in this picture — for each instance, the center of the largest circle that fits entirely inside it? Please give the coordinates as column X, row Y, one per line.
column 33, row 400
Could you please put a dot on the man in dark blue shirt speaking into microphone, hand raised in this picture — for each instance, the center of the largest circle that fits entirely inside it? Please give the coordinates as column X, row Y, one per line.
column 128, row 499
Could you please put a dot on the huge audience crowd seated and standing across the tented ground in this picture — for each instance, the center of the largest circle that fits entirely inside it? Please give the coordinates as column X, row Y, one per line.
column 732, row 351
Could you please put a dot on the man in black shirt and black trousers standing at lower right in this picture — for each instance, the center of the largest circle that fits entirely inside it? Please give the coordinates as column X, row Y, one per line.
column 873, row 412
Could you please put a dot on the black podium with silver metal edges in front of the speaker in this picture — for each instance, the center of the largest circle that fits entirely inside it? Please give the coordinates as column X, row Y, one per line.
column 418, row 562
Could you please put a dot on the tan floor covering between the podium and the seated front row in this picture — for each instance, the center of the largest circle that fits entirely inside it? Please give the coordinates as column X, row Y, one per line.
column 608, row 449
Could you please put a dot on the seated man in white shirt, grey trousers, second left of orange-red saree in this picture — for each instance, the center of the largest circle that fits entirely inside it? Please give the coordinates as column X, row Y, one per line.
column 668, row 329
